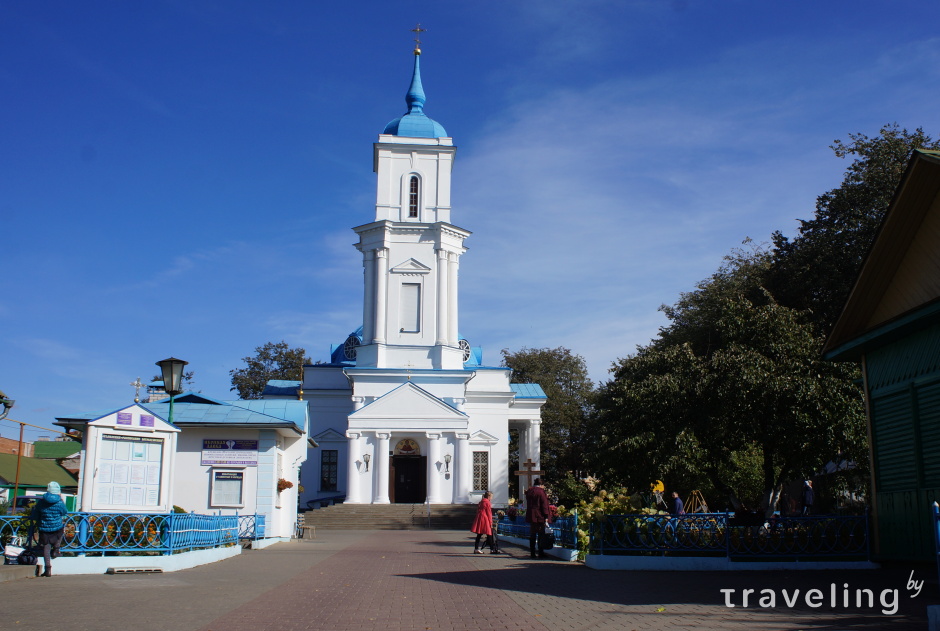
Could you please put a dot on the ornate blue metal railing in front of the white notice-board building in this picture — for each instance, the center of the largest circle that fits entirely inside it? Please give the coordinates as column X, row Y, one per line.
column 132, row 532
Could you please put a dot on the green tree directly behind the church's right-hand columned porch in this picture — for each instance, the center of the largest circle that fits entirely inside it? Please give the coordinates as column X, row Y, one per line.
column 564, row 378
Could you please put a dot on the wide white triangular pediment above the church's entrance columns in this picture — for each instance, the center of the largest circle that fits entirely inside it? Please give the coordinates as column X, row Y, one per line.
column 408, row 407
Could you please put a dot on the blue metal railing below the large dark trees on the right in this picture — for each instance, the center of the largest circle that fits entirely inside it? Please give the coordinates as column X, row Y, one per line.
column 721, row 534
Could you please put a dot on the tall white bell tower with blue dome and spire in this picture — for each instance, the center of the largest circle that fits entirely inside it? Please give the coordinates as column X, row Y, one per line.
column 411, row 252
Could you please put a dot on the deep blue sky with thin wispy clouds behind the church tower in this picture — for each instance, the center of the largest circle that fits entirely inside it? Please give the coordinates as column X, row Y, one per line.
column 180, row 177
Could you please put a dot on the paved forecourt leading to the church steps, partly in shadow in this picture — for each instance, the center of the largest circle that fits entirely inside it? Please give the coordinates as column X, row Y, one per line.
column 396, row 580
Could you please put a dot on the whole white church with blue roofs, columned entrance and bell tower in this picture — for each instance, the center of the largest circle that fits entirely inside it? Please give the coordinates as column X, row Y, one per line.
column 404, row 411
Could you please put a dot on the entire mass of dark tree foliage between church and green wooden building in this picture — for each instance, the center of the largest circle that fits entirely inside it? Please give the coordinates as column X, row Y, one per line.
column 733, row 391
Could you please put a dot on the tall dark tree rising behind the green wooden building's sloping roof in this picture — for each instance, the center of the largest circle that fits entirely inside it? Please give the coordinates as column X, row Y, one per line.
column 815, row 270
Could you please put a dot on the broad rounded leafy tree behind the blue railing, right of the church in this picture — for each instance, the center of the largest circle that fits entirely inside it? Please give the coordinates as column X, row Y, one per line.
column 732, row 393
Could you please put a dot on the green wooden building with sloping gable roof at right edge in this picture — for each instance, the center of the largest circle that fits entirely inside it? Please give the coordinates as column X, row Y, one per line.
column 891, row 324
